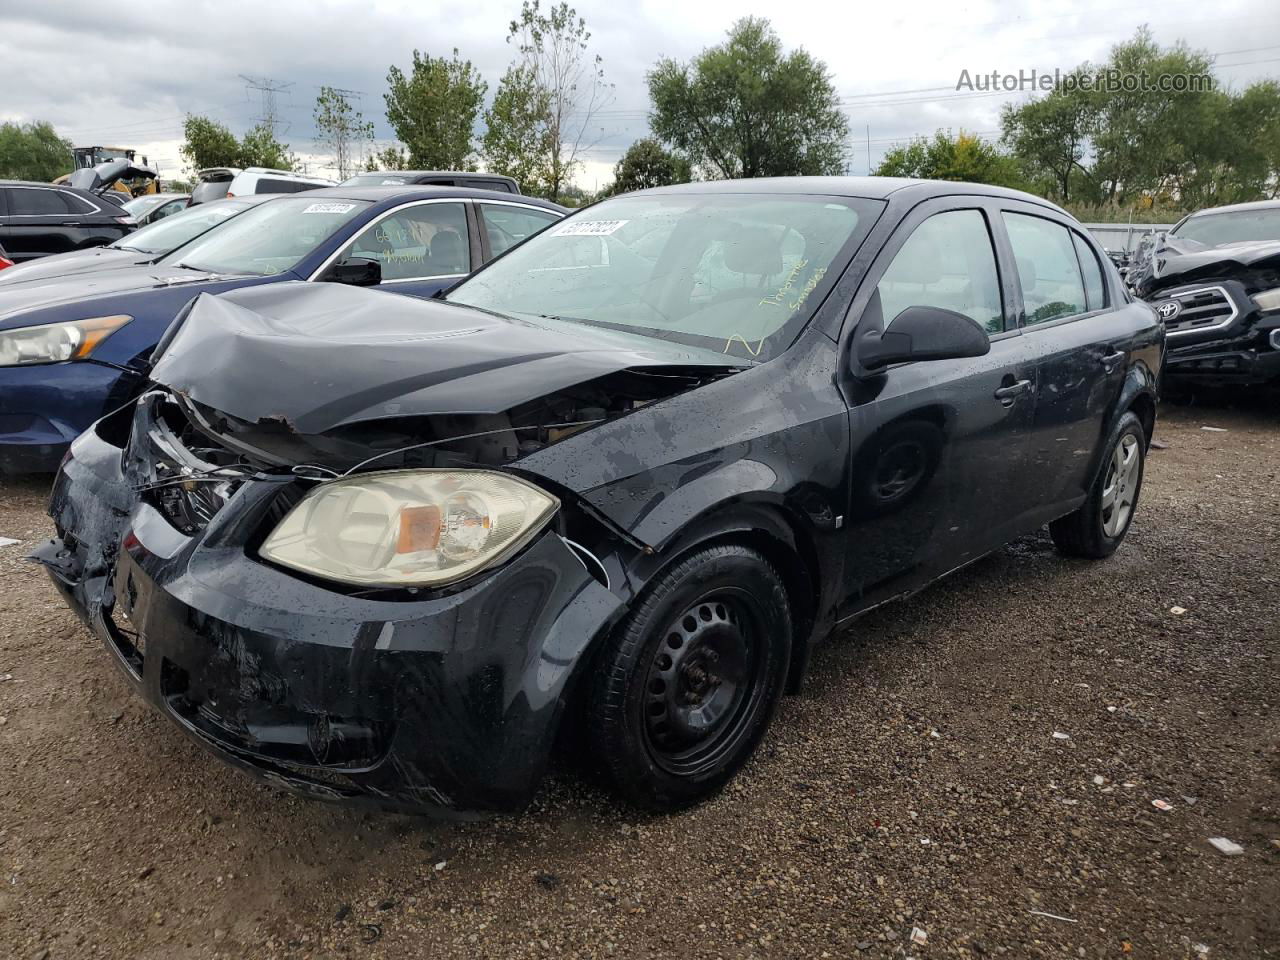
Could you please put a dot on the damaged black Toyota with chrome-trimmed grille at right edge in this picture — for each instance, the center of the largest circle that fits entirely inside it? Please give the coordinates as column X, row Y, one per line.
column 1215, row 282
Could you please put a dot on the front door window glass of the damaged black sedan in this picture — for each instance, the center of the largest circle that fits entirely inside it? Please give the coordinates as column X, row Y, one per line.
column 947, row 263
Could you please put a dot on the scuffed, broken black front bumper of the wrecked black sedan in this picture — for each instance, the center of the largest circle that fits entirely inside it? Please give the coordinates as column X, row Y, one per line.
column 449, row 705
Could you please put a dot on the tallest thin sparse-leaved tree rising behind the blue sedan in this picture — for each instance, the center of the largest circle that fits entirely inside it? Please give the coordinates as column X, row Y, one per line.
column 559, row 84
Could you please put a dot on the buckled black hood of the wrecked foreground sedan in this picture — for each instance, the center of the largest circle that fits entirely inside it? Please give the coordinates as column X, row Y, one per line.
column 318, row 356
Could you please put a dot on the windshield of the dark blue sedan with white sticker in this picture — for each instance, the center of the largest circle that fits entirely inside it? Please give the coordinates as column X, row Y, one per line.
column 268, row 240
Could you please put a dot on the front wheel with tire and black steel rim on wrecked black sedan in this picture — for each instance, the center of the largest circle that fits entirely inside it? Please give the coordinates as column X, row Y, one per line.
column 687, row 687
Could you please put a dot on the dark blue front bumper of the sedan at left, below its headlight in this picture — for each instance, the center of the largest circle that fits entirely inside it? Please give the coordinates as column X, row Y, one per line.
column 45, row 406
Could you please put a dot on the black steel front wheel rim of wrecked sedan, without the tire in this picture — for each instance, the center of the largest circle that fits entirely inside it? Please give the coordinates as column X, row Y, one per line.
column 702, row 684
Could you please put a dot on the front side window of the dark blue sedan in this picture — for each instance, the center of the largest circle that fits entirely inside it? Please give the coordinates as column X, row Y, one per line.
column 429, row 240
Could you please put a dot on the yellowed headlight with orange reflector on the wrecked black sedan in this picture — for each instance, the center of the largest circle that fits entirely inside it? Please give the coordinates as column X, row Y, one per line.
column 410, row 528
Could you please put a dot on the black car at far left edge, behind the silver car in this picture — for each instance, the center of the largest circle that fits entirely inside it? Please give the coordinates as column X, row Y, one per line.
column 38, row 220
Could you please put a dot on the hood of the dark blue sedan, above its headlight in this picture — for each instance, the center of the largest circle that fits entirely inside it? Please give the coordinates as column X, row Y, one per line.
column 29, row 304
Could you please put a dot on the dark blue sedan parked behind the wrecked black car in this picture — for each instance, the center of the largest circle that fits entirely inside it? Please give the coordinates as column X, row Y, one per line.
column 74, row 349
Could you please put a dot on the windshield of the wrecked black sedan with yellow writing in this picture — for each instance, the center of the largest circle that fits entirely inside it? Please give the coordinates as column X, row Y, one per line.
column 735, row 273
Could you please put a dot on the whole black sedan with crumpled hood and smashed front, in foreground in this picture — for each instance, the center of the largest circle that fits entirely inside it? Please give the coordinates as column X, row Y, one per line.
column 604, row 497
